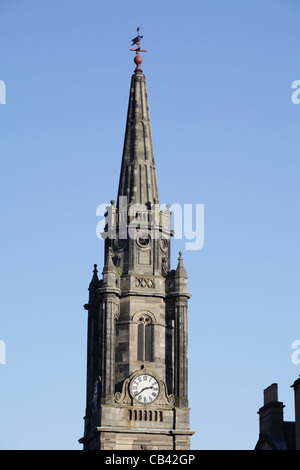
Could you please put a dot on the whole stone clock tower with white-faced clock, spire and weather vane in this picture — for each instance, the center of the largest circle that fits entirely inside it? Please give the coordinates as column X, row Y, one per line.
column 137, row 358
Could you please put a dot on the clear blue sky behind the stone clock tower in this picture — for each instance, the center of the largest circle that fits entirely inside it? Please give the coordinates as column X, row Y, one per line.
column 226, row 135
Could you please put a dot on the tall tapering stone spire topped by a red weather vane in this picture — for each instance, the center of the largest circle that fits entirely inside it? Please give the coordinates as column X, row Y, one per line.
column 138, row 175
